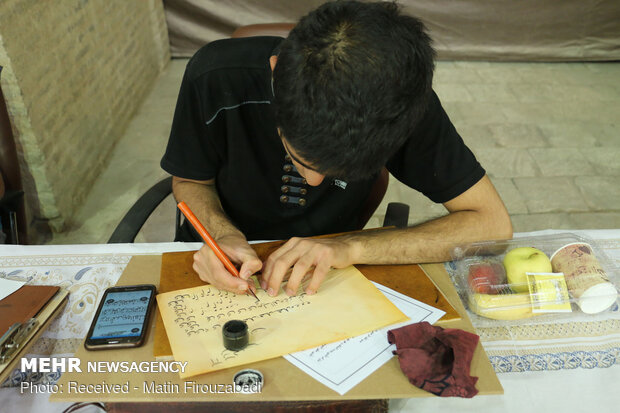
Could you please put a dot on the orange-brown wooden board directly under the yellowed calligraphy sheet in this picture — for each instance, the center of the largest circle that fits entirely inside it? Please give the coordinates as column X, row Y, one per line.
column 411, row 280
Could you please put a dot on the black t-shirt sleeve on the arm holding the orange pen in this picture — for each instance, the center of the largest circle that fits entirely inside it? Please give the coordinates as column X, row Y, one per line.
column 191, row 151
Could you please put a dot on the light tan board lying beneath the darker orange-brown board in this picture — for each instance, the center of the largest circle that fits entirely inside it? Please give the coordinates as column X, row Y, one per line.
column 283, row 381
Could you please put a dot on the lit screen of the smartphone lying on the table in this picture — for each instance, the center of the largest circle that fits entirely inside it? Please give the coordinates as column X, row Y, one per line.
column 122, row 315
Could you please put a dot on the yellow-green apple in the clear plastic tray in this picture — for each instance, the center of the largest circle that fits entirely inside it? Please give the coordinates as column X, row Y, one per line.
column 521, row 260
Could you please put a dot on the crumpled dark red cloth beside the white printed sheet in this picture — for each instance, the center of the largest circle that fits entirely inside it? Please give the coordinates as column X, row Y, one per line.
column 435, row 359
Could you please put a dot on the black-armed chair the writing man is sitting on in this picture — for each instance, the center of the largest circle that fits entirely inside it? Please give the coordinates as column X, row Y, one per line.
column 127, row 230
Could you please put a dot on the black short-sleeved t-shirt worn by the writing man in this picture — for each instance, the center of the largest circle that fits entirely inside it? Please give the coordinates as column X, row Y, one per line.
column 224, row 128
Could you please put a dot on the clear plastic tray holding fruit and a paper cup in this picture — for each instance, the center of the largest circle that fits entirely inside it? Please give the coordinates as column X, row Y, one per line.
column 548, row 276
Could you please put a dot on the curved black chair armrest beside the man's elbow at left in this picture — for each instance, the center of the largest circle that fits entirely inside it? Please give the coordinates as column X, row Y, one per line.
column 137, row 215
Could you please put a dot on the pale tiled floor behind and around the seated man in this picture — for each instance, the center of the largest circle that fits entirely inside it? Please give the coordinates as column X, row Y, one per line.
column 548, row 135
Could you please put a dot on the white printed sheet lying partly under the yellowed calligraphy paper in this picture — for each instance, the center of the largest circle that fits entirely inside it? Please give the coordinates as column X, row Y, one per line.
column 342, row 365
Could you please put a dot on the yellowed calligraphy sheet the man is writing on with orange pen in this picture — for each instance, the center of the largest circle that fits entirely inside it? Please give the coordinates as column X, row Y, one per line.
column 346, row 305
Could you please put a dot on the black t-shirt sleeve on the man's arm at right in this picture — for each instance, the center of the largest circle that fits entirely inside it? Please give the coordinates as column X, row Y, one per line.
column 435, row 160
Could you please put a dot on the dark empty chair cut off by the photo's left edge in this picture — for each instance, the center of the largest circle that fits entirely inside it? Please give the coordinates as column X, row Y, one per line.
column 12, row 209
